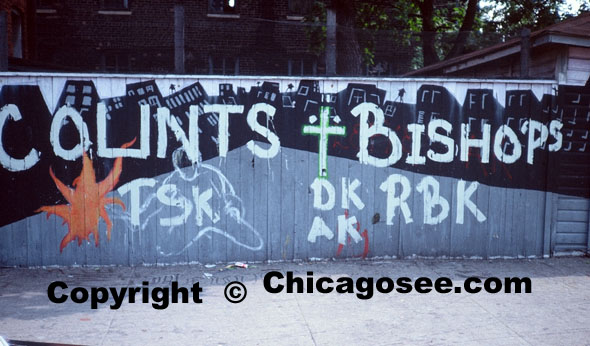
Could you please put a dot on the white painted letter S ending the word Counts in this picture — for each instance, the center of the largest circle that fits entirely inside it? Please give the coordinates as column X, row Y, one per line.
column 275, row 144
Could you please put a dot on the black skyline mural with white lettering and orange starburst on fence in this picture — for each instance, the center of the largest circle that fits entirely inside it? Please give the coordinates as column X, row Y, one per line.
column 65, row 161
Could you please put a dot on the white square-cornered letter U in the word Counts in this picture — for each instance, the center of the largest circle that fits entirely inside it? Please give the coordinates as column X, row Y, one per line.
column 144, row 135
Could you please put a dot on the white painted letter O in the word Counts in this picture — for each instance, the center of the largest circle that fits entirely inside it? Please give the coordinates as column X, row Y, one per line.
column 56, row 125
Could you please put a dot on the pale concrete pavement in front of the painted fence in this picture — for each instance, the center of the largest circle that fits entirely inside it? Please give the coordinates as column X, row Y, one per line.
column 557, row 312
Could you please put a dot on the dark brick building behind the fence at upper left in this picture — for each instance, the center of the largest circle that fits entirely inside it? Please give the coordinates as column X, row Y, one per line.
column 223, row 37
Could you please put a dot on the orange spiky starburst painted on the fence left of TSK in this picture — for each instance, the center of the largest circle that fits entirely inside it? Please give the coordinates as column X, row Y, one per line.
column 86, row 201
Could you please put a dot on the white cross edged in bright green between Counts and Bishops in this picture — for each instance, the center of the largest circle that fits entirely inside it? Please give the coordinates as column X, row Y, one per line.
column 323, row 131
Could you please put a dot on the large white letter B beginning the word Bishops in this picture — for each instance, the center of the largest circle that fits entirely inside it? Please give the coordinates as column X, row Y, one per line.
column 366, row 132
